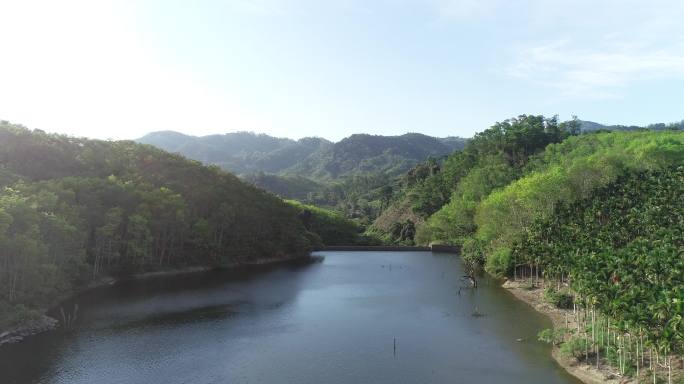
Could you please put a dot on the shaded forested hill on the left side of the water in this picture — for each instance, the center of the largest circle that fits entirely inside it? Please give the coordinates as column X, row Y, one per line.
column 73, row 210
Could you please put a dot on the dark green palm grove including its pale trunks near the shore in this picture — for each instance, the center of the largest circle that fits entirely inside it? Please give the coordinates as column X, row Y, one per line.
column 620, row 250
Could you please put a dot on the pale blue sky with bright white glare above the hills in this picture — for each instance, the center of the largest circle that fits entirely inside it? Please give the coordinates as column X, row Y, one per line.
column 296, row 68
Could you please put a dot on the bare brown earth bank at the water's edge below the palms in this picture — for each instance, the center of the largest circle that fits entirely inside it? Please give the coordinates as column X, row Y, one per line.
column 584, row 372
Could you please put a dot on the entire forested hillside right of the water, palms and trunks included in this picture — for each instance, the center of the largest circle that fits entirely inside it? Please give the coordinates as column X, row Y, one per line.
column 596, row 215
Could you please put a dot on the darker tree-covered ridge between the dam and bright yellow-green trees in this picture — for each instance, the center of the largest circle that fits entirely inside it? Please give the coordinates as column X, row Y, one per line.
column 445, row 193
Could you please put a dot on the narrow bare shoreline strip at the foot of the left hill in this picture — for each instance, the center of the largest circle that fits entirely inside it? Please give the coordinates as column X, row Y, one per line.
column 45, row 323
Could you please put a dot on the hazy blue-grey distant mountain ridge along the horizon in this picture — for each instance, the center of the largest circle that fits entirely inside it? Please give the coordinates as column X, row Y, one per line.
column 316, row 158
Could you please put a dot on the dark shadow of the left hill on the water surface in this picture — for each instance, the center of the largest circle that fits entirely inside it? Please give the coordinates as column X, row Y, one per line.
column 163, row 302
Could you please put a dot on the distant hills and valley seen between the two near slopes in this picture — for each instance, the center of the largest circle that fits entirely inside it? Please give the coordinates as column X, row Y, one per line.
column 357, row 176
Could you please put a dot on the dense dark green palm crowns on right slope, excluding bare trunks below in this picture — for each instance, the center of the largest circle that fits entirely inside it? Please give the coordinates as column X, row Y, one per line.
column 621, row 248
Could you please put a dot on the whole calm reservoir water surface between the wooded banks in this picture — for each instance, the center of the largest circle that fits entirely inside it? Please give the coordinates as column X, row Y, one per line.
column 329, row 322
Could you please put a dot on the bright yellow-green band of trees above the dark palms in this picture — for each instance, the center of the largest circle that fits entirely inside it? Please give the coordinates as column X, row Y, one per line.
column 569, row 171
